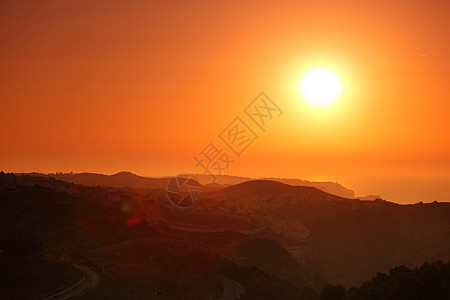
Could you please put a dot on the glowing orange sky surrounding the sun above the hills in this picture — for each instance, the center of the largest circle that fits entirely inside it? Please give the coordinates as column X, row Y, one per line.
column 106, row 86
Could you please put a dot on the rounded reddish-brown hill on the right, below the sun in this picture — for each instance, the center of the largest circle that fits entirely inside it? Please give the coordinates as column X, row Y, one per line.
column 345, row 240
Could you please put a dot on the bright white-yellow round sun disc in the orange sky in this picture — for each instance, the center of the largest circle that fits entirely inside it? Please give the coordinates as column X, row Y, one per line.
column 320, row 87
